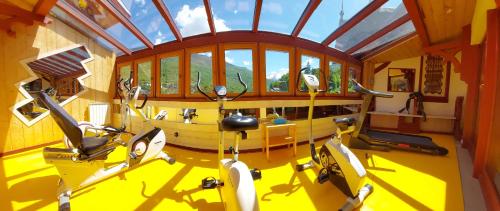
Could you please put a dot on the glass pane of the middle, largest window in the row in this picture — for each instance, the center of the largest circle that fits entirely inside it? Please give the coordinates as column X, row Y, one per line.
column 239, row 61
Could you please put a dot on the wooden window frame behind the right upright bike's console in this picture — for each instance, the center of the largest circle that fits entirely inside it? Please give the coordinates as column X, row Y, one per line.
column 303, row 52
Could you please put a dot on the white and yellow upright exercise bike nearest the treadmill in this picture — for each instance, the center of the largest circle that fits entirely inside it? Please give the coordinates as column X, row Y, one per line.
column 338, row 164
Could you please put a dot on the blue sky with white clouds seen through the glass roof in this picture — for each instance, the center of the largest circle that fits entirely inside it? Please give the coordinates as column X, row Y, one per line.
column 276, row 16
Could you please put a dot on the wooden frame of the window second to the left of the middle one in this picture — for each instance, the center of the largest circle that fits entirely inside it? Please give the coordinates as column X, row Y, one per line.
column 159, row 57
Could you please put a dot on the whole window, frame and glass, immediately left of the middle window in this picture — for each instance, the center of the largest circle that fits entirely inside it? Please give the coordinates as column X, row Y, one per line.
column 200, row 60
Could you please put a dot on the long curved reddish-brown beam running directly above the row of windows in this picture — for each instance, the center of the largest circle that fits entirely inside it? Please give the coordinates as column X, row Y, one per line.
column 240, row 36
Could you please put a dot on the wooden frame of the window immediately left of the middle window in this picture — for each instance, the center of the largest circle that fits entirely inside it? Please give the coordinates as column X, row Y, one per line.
column 187, row 68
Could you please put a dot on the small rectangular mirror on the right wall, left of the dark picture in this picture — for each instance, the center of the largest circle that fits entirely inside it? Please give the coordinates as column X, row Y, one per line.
column 401, row 80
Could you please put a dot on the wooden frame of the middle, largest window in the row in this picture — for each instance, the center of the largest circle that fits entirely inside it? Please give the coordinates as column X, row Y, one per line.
column 255, row 60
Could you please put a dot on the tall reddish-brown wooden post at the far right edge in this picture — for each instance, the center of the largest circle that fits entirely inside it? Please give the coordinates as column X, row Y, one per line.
column 488, row 107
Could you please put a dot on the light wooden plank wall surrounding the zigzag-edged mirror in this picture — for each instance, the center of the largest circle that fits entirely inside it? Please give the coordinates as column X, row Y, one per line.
column 30, row 42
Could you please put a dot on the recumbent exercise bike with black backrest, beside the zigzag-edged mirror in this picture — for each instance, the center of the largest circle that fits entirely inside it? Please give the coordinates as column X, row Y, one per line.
column 82, row 163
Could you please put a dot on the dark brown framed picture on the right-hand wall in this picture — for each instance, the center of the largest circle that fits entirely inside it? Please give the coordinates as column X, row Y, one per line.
column 434, row 78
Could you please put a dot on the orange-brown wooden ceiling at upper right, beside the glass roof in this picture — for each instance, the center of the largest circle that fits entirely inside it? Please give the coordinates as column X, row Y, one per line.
column 443, row 20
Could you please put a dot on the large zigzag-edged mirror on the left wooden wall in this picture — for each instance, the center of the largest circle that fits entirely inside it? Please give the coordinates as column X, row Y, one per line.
column 61, row 72
